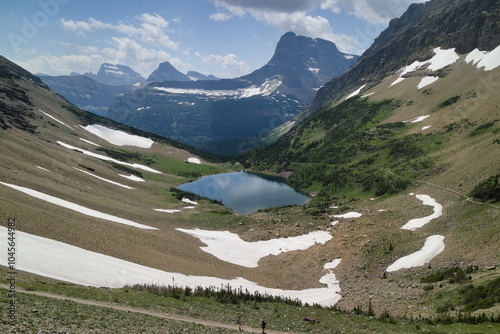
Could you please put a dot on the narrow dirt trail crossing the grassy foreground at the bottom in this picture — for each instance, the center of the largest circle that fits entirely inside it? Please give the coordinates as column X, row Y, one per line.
column 119, row 307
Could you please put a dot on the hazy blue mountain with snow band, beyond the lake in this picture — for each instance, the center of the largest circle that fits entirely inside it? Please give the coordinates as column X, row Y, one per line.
column 220, row 116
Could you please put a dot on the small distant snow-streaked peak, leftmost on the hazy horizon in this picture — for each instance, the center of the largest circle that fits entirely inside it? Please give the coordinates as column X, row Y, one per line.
column 116, row 75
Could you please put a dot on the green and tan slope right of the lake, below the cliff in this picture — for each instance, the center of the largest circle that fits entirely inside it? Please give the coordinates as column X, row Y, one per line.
column 453, row 157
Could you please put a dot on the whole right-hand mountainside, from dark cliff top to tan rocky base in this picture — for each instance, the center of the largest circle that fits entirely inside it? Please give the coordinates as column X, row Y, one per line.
column 415, row 115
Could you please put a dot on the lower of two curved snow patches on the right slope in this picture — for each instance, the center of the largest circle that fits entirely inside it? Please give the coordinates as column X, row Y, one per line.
column 432, row 247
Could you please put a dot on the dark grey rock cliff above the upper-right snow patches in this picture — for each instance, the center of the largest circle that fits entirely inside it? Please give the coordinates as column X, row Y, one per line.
column 461, row 24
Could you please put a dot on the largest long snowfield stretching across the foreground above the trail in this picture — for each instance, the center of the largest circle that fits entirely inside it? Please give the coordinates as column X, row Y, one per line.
column 80, row 266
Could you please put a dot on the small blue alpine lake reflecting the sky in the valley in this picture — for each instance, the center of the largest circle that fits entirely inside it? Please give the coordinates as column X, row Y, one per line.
column 245, row 192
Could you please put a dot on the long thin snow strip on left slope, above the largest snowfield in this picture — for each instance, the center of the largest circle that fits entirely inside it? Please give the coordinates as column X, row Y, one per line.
column 76, row 207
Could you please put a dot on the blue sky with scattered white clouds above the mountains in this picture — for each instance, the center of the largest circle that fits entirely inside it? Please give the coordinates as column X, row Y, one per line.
column 227, row 38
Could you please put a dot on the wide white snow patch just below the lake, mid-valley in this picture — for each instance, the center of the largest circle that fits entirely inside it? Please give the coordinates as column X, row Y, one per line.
column 229, row 247
